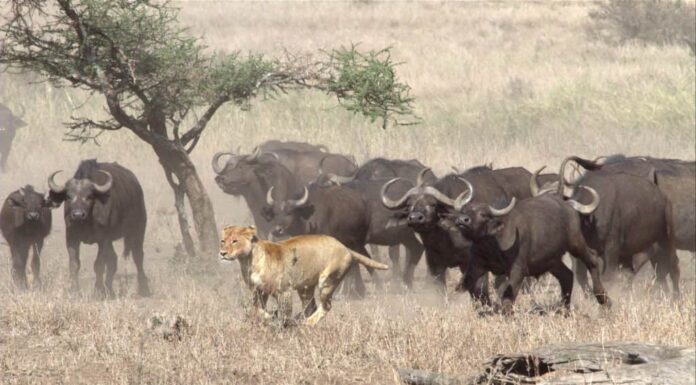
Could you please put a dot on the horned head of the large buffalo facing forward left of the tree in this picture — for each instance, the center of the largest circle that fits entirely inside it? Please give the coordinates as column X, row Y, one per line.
column 78, row 194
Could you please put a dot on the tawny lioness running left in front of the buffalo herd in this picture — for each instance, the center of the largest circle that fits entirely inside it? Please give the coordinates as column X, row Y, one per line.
column 301, row 263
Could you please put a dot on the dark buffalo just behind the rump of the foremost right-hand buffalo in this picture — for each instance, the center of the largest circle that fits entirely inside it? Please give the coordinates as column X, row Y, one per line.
column 633, row 216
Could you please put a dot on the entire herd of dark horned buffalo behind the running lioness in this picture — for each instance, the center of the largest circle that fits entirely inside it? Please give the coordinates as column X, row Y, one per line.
column 611, row 214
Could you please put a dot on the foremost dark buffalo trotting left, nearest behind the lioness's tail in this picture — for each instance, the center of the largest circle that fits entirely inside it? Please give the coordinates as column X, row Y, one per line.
column 524, row 239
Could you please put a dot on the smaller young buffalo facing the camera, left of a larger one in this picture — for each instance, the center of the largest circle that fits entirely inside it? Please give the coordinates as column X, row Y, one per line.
column 25, row 220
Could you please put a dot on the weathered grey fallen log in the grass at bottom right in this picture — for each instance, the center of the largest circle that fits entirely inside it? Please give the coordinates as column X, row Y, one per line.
column 576, row 364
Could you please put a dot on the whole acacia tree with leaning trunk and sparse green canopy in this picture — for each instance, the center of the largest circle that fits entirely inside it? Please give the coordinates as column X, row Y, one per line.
column 155, row 77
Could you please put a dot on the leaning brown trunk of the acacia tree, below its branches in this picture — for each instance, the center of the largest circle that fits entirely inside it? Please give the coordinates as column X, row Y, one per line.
column 176, row 161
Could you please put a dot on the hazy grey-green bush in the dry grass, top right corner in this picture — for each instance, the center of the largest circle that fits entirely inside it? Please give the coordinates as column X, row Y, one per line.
column 659, row 22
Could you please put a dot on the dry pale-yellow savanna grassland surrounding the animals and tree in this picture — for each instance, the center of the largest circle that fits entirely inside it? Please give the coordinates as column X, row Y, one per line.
column 512, row 83
